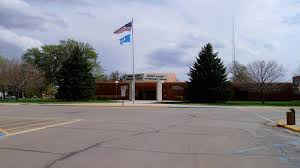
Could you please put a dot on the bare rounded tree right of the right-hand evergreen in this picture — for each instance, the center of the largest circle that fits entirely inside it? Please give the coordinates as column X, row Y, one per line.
column 263, row 75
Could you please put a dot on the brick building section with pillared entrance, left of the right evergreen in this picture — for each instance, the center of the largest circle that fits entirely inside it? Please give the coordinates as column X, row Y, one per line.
column 147, row 87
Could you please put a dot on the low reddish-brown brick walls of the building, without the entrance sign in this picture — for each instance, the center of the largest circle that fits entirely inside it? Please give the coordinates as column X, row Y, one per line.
column 177, row 91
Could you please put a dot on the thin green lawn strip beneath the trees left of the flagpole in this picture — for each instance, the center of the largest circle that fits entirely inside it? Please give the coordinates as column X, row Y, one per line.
column 53, row 101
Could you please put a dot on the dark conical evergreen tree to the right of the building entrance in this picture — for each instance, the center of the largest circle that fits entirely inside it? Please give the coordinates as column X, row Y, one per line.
column 207, row 77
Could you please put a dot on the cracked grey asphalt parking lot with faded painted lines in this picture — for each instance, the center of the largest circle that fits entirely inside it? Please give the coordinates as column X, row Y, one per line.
column 42, row 136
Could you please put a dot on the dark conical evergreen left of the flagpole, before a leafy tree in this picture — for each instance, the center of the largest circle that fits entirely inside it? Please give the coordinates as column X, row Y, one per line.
column 75, row 78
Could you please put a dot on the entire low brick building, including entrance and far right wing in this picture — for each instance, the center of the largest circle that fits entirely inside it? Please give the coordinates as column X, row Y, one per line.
column 147, row 89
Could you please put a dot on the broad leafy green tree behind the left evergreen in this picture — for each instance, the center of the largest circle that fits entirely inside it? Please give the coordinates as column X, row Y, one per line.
column 49, row 58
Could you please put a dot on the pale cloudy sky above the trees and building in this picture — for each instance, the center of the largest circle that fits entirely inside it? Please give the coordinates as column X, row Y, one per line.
column 169, row 33
